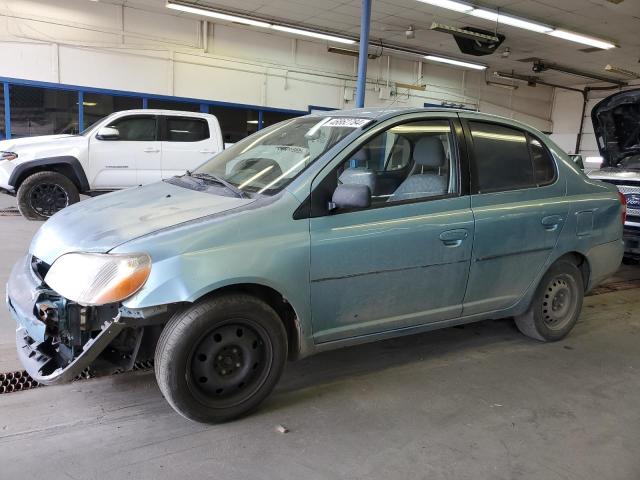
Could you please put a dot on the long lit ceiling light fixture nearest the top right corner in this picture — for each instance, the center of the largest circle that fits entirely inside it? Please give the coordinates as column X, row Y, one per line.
column 515, row 21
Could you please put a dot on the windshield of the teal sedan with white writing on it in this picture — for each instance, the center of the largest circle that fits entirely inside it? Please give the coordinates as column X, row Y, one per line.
column 268, row 160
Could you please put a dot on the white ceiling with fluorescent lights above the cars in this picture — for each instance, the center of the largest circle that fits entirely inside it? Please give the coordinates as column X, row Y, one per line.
column 389, row 19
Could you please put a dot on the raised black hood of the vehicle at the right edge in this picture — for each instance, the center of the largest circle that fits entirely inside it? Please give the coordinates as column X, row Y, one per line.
column 616, row 123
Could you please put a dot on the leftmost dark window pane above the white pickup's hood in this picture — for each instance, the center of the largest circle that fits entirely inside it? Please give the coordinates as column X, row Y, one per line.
column 43, row 111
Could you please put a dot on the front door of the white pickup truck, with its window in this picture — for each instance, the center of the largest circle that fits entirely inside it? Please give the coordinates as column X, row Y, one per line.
column 132, row 158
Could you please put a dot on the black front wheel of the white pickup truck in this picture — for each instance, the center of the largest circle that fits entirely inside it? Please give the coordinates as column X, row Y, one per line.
column 44, row 193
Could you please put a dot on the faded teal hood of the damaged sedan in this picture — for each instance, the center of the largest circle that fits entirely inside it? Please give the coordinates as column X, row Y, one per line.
column 102, row 223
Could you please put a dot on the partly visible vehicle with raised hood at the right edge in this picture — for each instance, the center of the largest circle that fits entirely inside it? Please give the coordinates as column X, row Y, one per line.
column 616, row 124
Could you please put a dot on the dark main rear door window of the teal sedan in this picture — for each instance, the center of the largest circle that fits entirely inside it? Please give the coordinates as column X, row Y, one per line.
column 501, row 156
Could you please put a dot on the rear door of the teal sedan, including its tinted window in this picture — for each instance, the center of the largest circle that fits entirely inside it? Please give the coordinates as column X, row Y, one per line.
column 519, row 209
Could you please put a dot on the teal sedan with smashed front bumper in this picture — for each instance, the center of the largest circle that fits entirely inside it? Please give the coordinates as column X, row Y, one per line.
column 319, row 232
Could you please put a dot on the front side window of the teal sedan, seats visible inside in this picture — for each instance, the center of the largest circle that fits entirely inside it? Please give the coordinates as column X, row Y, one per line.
column 408, row 161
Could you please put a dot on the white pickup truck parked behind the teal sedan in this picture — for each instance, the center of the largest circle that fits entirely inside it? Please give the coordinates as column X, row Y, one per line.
column 128, row 148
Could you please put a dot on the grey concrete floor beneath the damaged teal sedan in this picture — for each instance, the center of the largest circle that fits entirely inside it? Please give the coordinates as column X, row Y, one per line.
column 479, row 402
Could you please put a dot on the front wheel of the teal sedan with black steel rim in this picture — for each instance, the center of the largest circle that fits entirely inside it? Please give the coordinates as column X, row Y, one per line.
column 220, row 358
